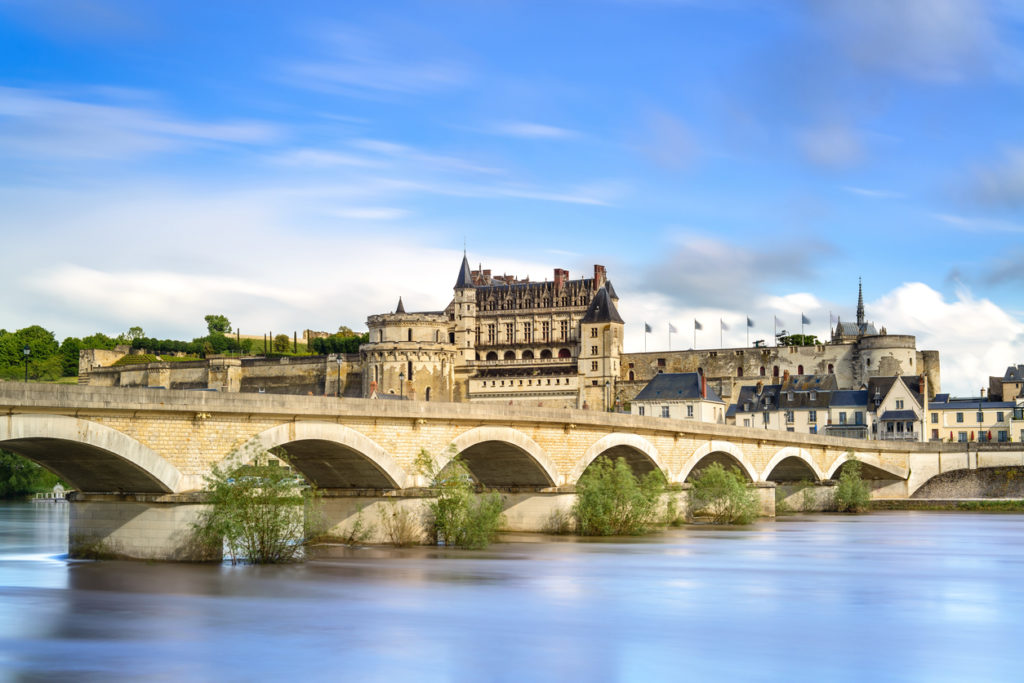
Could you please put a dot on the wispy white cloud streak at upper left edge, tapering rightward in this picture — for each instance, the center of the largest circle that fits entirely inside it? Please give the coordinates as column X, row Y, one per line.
column 35, row 124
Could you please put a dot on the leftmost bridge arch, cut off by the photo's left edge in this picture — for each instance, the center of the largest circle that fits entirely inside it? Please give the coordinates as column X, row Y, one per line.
column 89, row 455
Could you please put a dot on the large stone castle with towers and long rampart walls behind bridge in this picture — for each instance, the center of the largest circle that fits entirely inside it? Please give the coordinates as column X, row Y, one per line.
column 553, row 344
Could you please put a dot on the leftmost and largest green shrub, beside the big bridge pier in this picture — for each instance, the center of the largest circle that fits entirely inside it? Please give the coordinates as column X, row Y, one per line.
column 258, row 514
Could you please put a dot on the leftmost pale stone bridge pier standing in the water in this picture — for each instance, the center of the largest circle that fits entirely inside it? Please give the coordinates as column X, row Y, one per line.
column 141, row 527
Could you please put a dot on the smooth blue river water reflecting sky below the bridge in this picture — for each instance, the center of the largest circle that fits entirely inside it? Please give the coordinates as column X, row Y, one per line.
column 890, row 596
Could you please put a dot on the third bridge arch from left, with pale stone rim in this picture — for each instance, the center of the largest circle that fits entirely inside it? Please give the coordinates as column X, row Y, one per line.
column 503, row 457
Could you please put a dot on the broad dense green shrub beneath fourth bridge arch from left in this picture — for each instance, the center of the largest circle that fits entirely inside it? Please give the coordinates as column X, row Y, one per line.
column 612, row 501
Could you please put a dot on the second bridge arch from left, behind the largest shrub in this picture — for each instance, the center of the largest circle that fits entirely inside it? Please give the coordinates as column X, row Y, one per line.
column 331, row 456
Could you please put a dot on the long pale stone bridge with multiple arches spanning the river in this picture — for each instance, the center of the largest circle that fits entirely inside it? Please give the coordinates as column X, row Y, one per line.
column 149, row 450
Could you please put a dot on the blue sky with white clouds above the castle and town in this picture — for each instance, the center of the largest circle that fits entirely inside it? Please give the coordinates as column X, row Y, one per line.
column 304, row 165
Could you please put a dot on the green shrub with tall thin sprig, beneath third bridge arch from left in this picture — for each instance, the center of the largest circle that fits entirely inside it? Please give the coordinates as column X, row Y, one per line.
column 458, row 516
